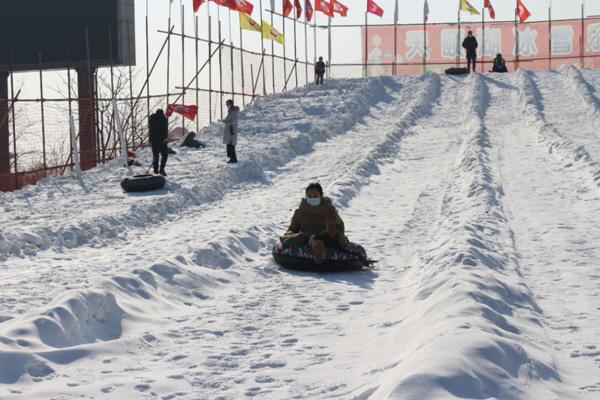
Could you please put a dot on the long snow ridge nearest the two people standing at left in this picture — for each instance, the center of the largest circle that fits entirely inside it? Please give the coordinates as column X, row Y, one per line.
column 268, row 149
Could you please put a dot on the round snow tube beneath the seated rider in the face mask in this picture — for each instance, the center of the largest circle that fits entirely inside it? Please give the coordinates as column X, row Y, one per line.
column 301, row 258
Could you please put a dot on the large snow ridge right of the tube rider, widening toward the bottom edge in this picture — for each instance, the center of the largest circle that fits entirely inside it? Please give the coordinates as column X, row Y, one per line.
column 486, row 335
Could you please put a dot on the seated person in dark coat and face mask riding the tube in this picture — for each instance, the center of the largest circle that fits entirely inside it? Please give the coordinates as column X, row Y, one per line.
column 317, row 223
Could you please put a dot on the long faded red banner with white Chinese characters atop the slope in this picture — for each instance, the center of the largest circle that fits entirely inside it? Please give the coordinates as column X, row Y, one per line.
column 444, row 40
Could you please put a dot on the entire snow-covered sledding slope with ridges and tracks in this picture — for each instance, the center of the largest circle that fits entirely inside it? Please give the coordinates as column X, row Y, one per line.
column 479, row 196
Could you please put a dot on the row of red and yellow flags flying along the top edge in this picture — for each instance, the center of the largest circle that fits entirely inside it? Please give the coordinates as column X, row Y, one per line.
column 333, row 7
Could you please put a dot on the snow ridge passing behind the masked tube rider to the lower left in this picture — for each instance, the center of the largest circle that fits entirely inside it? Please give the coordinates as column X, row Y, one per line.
column 164, row 283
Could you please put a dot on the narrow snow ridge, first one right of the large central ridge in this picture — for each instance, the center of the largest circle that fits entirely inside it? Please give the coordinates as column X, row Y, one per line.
column 565, row 149
